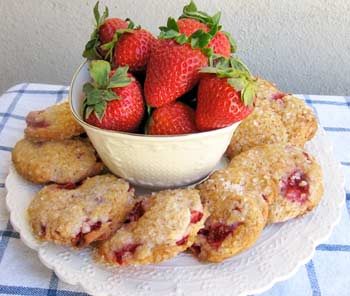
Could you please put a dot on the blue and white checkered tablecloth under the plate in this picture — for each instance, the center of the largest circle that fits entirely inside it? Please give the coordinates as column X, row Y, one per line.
column 21, row 272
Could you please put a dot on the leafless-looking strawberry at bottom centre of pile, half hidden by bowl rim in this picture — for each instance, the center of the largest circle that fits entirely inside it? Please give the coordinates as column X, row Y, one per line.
column 174, row 118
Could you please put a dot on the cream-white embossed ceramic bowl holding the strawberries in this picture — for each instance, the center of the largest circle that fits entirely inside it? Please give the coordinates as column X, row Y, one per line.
column 152, row 161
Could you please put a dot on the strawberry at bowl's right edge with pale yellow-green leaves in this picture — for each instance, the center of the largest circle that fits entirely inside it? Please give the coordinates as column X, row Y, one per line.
column 225, row 95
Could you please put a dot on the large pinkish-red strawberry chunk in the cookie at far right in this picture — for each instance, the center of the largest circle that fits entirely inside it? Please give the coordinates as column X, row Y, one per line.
column 295, row 187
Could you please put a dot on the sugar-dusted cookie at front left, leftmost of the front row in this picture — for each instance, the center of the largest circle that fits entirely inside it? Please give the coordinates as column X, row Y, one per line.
column 81, row 215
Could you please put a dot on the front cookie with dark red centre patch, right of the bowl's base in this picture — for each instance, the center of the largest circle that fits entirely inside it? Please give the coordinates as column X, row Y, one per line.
column 235, row 223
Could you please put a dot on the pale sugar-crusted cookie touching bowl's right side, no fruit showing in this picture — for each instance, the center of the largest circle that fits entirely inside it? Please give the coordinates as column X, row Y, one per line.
column 263, row 126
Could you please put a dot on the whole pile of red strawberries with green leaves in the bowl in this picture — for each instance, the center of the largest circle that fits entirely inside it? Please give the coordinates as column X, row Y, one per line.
column 184, row 81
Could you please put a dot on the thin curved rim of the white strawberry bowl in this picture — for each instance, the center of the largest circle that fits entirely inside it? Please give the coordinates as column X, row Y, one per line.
column 133, row 135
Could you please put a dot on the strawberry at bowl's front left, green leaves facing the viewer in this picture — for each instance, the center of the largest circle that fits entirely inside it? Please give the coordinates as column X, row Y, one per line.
column 114, row 99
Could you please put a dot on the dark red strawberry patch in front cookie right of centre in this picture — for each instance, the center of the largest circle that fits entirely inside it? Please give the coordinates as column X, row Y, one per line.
column 218, row 232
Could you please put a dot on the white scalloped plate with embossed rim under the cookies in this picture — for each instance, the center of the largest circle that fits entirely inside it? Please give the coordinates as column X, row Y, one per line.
column 277, row 255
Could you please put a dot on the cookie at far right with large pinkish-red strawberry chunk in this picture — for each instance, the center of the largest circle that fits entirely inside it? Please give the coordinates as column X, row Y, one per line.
column 298, row 178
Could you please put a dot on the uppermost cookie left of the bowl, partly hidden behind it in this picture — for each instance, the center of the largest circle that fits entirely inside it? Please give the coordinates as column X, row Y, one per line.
column 53, row 123
